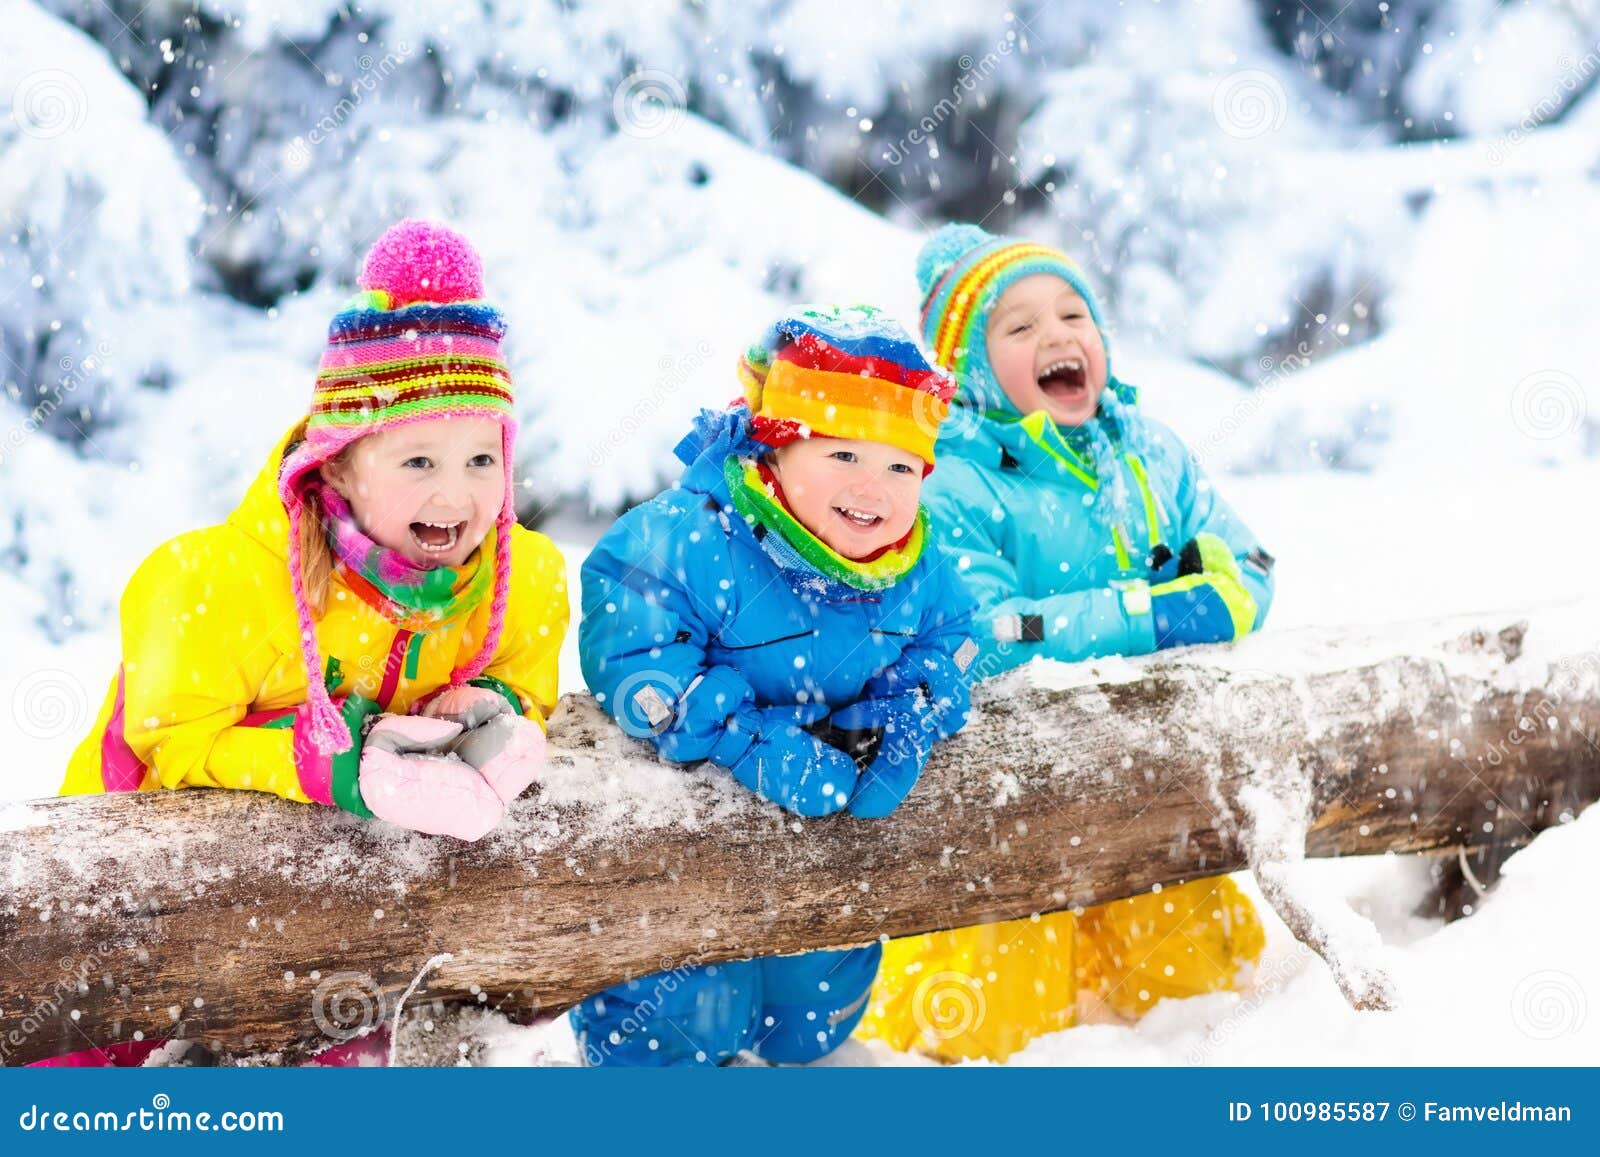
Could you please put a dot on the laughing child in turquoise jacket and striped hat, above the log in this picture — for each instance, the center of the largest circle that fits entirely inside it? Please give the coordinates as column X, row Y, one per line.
column 1084, row 526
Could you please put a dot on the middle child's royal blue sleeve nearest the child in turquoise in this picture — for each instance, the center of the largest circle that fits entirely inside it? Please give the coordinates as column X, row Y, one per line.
column 945, row 649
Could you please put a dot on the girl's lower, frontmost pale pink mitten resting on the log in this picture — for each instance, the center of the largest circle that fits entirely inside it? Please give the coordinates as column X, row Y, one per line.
column 410, row 779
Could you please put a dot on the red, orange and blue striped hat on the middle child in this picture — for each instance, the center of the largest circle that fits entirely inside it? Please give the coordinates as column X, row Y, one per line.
column 846, row 372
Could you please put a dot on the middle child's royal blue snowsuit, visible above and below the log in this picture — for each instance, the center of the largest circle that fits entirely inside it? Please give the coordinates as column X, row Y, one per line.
column 698, row 635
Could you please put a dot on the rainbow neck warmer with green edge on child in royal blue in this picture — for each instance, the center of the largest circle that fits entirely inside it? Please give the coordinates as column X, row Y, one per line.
column 796, row 548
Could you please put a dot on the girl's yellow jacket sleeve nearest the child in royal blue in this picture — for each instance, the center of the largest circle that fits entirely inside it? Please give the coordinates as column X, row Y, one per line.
column 526, row 665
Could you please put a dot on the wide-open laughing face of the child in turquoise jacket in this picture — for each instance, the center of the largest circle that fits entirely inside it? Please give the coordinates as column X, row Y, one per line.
column 1046, row 350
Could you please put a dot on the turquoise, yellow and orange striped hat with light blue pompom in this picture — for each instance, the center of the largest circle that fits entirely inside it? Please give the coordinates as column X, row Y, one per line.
column 962, row 273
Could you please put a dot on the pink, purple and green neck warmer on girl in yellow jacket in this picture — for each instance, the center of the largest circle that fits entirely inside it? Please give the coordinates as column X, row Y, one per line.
column 410, row 596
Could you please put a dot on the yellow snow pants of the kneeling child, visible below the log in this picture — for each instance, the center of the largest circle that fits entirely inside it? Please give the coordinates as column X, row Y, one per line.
column 990, row 990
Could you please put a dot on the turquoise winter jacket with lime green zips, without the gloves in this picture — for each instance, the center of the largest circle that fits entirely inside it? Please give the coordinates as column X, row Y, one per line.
column 1052, row 578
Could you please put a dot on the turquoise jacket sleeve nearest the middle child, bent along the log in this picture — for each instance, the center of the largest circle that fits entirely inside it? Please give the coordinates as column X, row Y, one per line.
column 1012, row 628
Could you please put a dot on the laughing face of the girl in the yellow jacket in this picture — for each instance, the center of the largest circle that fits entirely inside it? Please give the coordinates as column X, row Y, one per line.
column 430, row 490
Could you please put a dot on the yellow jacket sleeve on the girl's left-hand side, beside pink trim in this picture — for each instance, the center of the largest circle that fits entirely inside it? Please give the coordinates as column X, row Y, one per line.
column 194, row 659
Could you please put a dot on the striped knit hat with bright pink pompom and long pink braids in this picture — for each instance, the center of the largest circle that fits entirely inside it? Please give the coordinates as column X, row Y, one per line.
column 418, row 343
